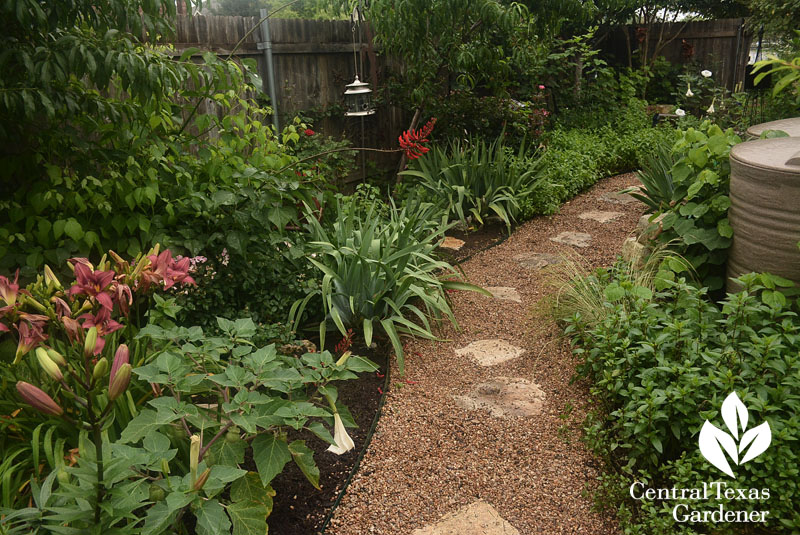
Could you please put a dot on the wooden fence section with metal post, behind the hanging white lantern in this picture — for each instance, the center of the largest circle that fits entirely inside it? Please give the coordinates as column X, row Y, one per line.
column 313, row 62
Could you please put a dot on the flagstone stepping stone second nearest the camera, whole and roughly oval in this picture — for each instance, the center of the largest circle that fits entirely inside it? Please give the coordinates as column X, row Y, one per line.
column 505, row 397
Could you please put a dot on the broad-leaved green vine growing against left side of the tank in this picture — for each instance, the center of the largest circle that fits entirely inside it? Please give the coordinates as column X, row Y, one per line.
column 696, row 223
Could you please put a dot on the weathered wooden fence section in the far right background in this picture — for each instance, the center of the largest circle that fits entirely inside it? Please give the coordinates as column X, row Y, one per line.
column 720, row 46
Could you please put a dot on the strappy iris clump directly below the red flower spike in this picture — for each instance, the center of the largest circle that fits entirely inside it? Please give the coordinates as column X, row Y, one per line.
column 474, row 179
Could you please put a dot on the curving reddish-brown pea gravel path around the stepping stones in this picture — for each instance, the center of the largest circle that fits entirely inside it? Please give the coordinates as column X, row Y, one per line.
column 430, row 457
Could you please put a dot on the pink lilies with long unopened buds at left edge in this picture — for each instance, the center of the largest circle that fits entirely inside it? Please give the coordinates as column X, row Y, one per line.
column 69, row 344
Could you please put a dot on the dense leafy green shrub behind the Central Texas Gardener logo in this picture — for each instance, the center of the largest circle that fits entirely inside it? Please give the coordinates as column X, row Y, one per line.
column 661, row 364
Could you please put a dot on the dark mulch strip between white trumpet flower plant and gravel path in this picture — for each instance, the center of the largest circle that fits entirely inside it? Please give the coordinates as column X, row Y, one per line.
column 300, row 509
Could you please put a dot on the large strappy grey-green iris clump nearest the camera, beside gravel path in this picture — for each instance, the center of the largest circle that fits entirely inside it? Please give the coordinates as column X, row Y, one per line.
column 377, row 271
